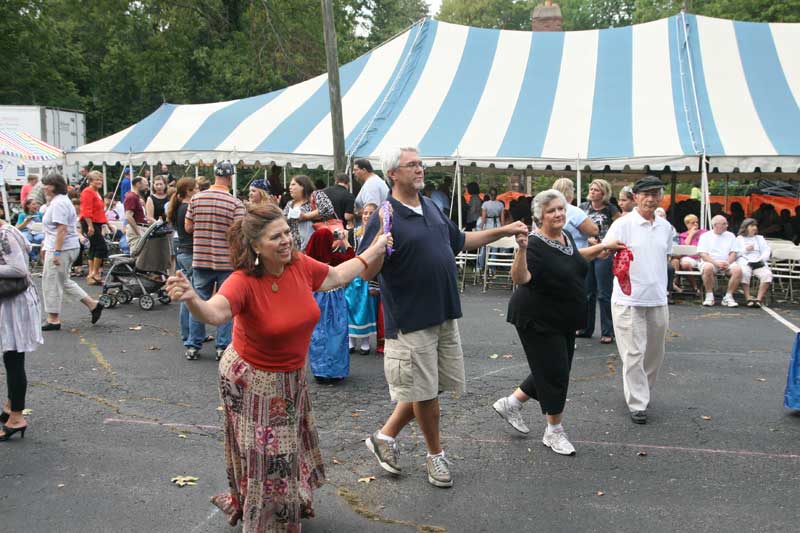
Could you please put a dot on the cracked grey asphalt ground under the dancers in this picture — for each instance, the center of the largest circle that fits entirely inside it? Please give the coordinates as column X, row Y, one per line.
column 116, row 412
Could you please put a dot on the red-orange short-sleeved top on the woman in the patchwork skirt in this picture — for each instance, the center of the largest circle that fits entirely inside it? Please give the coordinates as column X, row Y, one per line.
column 272, row 330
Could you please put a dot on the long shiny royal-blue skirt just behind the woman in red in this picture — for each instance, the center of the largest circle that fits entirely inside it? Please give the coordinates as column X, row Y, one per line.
column 329, row 351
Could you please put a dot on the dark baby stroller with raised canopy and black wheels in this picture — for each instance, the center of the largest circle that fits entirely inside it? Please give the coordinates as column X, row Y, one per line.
column 143, row 273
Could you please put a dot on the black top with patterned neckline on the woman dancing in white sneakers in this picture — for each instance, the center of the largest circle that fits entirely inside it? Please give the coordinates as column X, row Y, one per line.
column 554, row 300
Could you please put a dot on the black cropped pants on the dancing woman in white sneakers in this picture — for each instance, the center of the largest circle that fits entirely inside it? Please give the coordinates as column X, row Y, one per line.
column 550, row 359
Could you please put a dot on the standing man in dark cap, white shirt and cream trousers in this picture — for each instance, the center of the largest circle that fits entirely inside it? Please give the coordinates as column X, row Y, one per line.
column 641, row 317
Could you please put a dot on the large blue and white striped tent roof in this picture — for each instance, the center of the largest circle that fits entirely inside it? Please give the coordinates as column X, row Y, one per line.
column 657, row 94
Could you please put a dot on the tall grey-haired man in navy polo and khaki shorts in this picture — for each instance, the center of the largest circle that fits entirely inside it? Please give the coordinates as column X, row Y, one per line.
column 419, row 289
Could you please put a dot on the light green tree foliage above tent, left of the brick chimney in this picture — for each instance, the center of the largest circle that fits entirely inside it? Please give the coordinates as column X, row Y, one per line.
column 501, row 14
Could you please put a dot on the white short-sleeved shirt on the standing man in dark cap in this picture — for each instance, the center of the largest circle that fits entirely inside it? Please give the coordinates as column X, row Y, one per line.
column 651, row 243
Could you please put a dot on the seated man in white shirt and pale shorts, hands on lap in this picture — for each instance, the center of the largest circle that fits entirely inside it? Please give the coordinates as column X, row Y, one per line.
column 718, row 250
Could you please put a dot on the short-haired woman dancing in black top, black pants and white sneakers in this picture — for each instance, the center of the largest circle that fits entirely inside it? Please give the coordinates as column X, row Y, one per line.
column 547, row 308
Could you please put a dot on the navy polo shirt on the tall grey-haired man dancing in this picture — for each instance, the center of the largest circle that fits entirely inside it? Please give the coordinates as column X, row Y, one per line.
column 419, row 281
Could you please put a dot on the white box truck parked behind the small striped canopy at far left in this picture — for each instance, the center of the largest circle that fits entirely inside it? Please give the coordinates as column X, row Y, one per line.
column 64, row 128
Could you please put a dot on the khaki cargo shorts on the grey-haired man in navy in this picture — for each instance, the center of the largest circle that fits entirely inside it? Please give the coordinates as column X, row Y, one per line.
column 421, row 364
